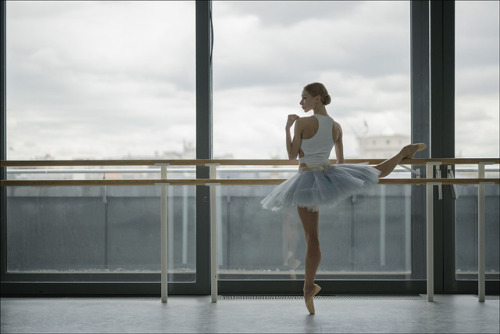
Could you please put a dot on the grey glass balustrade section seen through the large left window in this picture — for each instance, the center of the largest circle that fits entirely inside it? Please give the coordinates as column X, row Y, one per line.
column 108, row 229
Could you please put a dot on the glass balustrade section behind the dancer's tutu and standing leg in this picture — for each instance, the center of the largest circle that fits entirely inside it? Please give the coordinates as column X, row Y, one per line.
column 368, row 236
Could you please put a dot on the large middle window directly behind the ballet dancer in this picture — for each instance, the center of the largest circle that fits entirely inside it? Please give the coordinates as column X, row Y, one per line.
column 264, row 53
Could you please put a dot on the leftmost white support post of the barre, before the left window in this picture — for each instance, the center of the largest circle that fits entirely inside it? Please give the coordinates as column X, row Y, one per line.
column 164, row 234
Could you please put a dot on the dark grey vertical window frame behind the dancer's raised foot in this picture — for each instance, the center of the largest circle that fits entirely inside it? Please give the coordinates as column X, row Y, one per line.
column 420, row 125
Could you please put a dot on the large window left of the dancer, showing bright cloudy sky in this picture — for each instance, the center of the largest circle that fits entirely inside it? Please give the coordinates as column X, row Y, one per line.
column 99, row 80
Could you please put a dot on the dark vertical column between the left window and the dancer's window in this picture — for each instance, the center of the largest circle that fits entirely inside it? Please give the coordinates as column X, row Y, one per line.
column 204, row 147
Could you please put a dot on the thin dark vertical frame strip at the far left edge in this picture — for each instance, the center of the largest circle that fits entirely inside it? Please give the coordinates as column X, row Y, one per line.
column 3, row 136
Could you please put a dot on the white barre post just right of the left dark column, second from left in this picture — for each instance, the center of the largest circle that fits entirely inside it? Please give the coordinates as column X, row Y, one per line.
column 213, row 231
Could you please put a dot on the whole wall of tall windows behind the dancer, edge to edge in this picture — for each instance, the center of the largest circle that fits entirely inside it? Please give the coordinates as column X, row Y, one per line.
column 94, row 80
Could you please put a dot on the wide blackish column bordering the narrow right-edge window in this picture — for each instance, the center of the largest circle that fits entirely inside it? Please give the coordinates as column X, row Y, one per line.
column 442, row 97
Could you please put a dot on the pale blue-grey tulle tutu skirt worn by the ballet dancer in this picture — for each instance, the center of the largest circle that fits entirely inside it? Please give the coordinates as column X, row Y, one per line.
column 317, row 186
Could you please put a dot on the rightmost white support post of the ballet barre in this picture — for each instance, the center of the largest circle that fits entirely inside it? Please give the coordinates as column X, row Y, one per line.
column 481, row 249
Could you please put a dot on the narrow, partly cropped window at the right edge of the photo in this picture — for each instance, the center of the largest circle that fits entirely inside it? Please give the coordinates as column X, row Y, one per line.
column 476, row 129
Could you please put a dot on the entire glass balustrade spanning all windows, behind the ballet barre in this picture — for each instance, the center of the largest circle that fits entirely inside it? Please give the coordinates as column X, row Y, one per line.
column 115, row 229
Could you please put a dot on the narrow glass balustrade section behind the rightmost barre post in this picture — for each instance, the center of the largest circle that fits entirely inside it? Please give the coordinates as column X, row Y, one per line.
column 466, row 229
